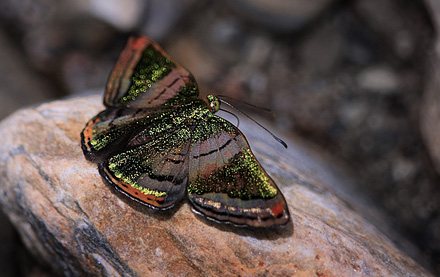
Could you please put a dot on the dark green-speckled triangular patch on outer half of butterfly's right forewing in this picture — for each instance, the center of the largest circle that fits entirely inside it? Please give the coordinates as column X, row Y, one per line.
column 241, row 178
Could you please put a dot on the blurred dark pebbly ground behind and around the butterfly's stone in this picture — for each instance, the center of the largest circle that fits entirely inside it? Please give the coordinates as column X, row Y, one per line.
column 358, row 80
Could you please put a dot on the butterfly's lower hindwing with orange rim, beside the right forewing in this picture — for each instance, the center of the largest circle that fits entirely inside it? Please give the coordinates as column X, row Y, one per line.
column 154, row 173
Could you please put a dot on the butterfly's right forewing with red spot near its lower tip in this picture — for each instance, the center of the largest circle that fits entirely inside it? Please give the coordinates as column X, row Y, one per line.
column 227, row 183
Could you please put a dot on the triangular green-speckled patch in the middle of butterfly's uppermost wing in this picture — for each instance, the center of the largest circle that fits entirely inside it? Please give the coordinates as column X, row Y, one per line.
column 150, row 69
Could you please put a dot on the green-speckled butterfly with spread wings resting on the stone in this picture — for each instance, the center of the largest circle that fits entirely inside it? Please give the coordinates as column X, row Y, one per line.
column 157, row 141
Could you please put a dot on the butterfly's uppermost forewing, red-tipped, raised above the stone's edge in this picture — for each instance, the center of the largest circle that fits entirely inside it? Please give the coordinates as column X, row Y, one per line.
column 145, row 76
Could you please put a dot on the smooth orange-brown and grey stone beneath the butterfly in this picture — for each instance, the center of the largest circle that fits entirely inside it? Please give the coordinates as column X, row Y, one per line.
column 69, row 218
